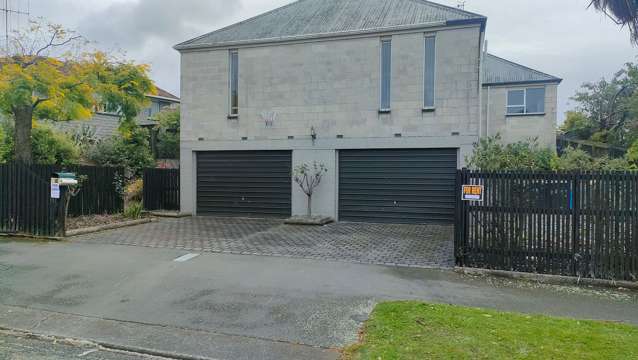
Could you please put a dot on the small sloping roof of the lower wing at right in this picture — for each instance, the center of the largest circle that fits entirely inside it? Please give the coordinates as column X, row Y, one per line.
column 498, row 71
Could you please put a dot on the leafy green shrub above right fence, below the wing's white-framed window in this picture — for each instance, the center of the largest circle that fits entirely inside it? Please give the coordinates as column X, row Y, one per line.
column 490, row 154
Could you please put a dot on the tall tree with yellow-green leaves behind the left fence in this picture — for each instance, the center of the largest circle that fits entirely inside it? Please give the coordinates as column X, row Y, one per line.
column 47, row 73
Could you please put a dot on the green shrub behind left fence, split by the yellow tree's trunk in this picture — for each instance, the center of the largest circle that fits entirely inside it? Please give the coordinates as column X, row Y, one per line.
column 49, row 146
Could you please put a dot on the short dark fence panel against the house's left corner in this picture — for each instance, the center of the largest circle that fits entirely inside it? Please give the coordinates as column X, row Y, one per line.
column 161, row 189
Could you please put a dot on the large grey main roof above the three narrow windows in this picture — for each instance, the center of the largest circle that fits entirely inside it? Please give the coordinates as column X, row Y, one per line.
column 326, row 18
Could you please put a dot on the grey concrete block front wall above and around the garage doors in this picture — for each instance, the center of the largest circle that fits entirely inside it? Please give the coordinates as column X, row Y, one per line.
column 333, row 87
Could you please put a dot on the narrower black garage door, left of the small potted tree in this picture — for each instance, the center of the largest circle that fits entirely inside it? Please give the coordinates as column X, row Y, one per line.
column 244, row 183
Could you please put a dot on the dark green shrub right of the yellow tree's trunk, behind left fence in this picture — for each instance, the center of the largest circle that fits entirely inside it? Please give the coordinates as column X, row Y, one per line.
column 131, row 152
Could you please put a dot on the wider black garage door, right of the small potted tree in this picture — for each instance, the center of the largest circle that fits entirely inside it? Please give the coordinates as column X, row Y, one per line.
column 397, row 186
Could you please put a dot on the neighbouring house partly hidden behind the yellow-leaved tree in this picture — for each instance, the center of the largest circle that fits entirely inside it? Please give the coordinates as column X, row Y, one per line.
column 105, row 124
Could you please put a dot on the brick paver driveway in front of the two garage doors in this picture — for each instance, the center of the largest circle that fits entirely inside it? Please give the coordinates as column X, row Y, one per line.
column 402, row 245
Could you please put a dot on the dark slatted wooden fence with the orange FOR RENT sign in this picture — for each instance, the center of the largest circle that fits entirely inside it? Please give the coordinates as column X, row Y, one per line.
column 574, row 224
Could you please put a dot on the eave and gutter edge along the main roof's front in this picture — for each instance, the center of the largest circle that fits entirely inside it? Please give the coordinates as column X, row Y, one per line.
column 449, row 23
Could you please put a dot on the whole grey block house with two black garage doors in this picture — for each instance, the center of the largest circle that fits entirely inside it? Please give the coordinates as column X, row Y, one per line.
column 389, row 95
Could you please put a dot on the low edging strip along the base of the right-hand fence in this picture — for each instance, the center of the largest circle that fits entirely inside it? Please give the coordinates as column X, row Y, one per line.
column 549, row 279
